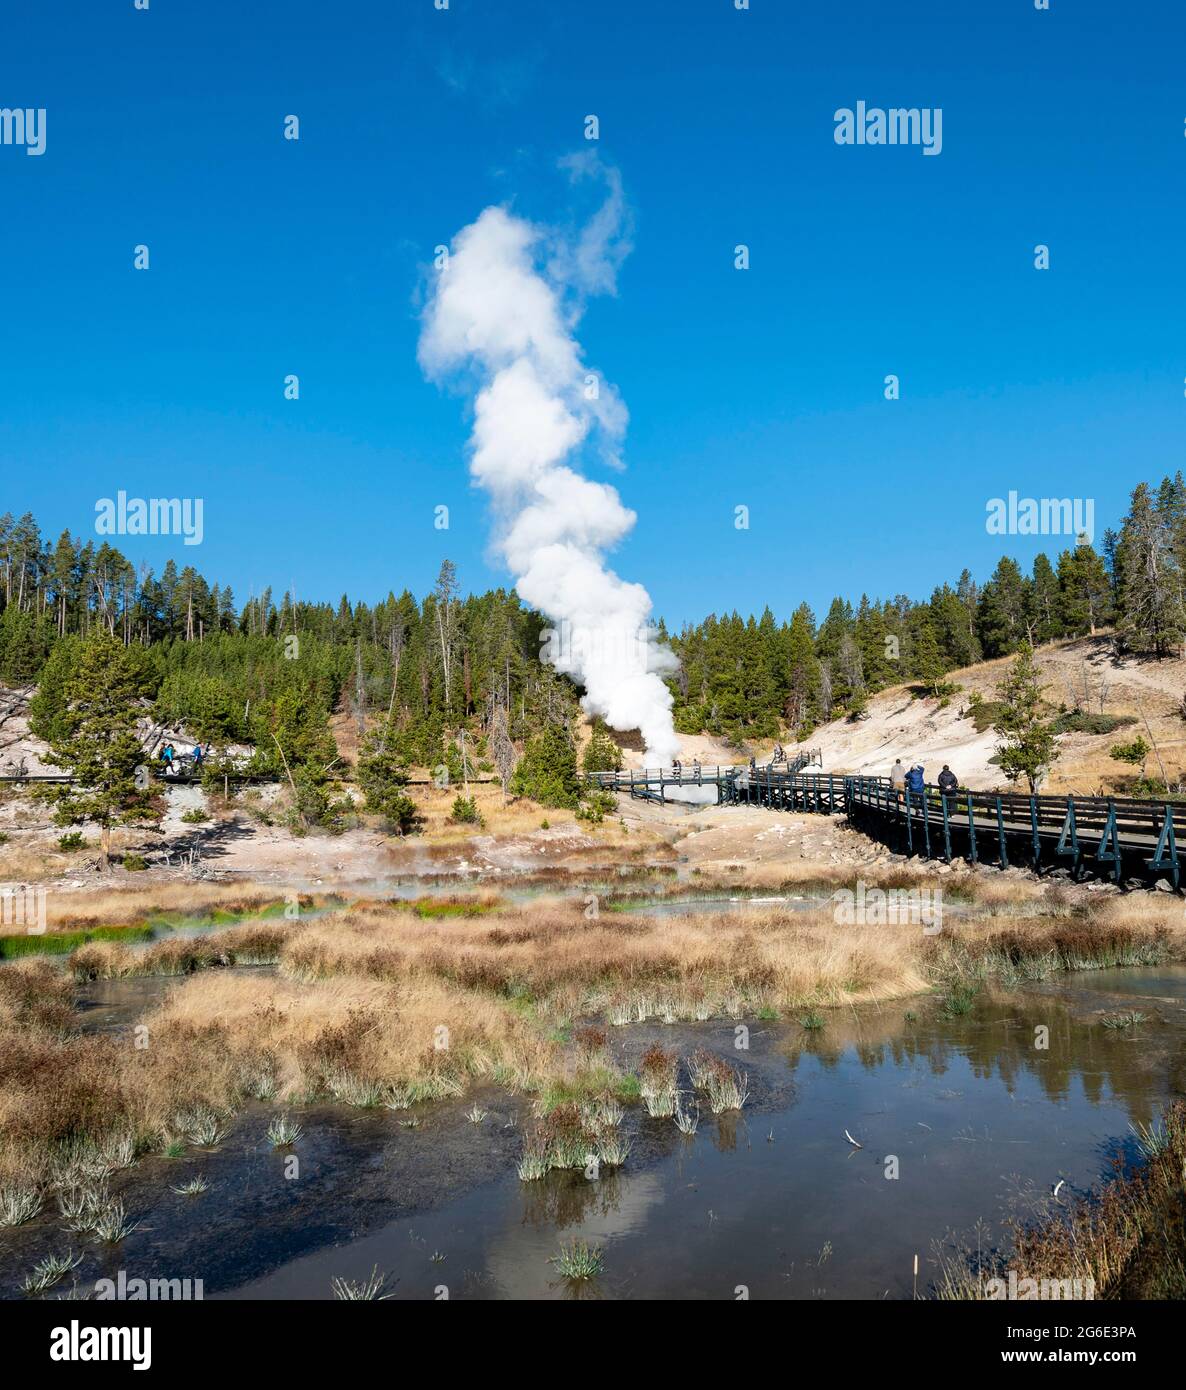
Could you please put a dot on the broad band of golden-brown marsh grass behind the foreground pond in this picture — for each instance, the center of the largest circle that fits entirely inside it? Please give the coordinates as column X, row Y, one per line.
column 523, row 997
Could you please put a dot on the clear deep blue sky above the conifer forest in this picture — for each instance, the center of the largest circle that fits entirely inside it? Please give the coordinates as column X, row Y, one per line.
column 760, row 389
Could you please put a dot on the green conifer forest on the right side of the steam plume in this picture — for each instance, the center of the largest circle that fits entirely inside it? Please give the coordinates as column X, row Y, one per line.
column 756, row 678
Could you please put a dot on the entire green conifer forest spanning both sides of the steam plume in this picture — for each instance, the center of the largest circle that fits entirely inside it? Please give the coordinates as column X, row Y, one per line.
column 272, row 671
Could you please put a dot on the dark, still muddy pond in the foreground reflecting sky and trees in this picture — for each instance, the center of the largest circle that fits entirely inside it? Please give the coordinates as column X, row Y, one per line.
column 978, row 1122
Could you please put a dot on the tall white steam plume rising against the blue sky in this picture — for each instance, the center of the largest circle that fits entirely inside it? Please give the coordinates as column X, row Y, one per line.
column 508, row 304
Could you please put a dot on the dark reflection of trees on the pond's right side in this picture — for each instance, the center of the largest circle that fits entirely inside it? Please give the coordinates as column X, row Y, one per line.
column 998, row 1039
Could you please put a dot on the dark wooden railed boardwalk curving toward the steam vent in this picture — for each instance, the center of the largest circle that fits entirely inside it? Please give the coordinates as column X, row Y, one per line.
column 1113, row 837
